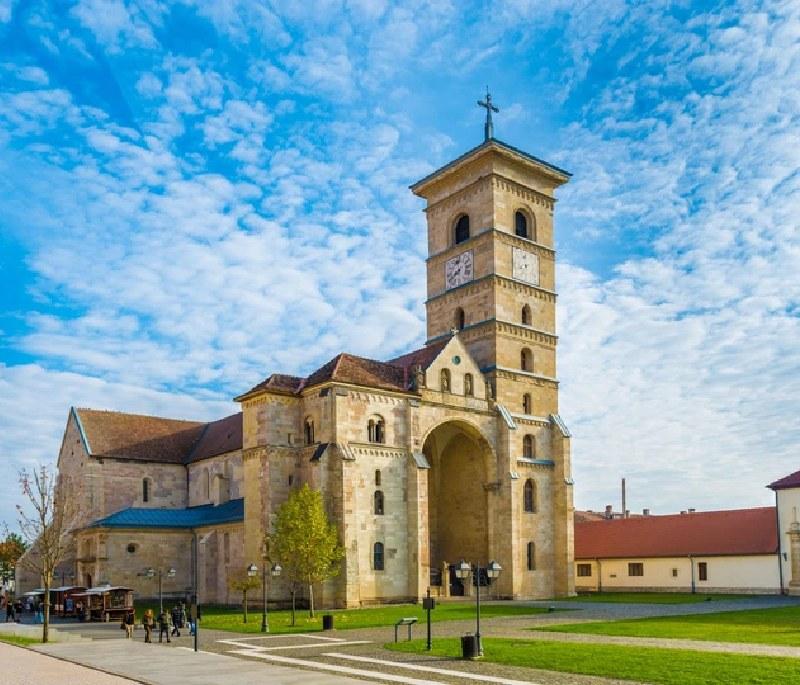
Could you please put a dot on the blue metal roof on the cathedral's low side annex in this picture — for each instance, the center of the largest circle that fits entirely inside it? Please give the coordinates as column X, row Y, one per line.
column 189, row 517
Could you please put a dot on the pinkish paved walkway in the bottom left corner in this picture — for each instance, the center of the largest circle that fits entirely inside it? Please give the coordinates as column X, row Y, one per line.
column 23, row 667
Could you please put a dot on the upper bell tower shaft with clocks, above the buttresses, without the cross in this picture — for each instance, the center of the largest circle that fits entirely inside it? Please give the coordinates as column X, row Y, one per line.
column 491, row 267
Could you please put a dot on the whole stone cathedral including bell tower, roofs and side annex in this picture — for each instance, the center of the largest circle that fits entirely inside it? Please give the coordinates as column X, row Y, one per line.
column 452, row 451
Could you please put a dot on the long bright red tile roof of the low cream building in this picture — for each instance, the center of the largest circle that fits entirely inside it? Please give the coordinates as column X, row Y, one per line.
column 706, row 533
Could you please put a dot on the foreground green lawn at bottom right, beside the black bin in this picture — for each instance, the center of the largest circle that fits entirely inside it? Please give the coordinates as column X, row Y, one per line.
column 643, row 664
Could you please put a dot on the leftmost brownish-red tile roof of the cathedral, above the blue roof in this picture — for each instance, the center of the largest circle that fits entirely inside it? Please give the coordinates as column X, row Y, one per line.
column 133, row 436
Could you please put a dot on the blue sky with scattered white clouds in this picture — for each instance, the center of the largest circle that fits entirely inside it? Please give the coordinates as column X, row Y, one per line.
column 196, row 194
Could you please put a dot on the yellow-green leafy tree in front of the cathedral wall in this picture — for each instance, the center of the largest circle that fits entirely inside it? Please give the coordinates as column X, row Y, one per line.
column 305, row 542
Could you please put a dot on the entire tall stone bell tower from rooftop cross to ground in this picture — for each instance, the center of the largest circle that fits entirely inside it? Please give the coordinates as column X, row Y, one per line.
column 491, row 276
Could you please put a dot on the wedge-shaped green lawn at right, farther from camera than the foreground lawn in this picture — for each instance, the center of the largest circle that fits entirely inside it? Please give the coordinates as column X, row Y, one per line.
column 762, row 626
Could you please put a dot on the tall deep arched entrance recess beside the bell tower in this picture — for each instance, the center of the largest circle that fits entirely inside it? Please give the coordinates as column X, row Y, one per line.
column 458, row 516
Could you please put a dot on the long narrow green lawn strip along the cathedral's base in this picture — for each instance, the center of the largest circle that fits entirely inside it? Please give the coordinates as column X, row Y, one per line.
column 226, row 618
